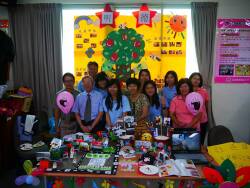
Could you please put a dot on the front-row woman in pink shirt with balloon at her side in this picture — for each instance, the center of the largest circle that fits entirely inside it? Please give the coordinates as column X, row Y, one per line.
column 179, row 113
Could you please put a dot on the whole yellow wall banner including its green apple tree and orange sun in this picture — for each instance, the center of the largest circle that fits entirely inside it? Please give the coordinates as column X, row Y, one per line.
column 159, row 48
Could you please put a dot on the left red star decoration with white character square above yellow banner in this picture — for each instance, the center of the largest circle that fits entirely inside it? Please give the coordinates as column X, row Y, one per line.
column 107, row 17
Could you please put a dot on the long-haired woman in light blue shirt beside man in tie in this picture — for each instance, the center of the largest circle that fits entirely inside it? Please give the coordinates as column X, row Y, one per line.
column 115, row 104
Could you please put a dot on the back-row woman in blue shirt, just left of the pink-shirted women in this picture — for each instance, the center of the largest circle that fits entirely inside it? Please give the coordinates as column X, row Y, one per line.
column 169, row 90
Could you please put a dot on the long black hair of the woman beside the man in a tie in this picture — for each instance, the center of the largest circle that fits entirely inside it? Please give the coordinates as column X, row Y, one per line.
column 109, row 100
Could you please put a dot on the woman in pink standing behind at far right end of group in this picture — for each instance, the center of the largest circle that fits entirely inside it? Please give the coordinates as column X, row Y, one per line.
column 197, row 83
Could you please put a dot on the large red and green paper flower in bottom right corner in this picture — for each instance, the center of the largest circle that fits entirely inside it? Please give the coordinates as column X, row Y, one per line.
column 225, row 176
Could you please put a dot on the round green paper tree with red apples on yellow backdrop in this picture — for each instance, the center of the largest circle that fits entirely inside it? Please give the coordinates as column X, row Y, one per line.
column 122, row 48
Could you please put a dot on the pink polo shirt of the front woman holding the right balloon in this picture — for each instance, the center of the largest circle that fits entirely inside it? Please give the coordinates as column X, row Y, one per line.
column 179, row 107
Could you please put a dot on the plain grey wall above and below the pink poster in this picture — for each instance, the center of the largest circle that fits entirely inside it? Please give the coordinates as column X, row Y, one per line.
column 231, row 102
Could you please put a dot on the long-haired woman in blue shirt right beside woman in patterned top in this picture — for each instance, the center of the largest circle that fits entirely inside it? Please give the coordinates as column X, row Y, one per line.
column 156, row 106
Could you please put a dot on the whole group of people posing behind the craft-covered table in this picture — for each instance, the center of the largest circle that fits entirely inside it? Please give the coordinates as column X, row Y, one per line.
column 101, row 101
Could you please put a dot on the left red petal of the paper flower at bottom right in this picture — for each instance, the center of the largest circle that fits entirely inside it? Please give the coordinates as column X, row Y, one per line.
column 212, row 176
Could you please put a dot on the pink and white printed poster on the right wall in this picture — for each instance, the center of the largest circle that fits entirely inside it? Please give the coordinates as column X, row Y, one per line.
column 233, row 51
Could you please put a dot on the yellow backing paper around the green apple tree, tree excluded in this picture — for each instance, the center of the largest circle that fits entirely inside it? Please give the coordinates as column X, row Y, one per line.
column 164, row 50
